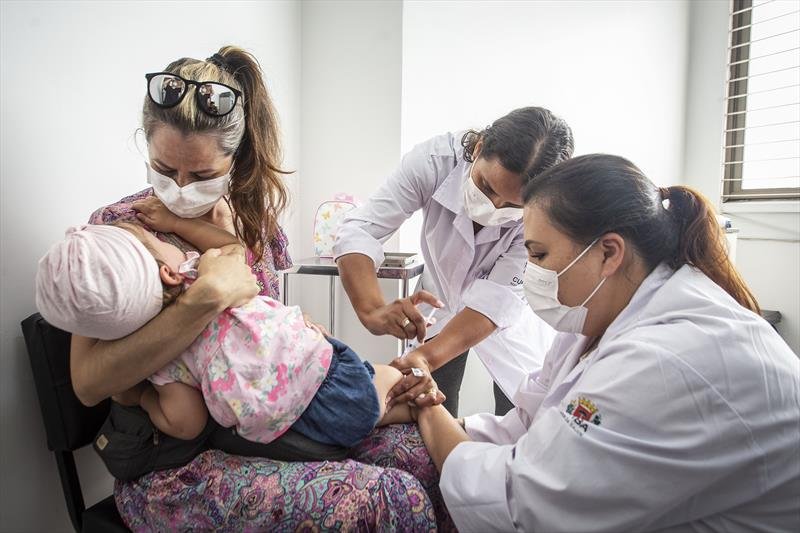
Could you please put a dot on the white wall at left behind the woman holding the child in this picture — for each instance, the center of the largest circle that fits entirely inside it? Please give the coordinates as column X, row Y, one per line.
column 72, row 90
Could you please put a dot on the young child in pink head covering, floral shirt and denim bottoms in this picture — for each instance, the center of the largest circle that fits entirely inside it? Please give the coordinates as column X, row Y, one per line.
column 258, row 368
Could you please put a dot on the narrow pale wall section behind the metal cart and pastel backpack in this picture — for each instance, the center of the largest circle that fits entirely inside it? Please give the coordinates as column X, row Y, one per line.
column 350, row 135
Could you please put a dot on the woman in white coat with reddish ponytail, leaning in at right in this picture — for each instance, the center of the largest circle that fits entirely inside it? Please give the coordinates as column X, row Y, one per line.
column 665, row 403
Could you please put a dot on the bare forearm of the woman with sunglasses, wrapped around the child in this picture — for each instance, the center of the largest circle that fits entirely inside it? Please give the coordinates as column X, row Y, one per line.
column 101, row 369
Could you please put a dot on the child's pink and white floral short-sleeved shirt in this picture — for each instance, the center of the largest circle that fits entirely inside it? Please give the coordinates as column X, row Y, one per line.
column 258, row 367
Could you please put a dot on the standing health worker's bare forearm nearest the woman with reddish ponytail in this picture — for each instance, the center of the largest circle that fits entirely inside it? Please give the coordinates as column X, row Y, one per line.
column 465, row 330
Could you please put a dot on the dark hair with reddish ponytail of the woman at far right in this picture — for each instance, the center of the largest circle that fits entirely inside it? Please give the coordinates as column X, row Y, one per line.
column 591, row 195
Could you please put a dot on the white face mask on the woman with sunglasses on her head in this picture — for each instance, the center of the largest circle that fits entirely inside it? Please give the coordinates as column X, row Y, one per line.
column 192, row 200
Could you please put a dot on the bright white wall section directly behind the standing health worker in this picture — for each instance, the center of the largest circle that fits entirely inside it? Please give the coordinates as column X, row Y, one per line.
column 616, row 71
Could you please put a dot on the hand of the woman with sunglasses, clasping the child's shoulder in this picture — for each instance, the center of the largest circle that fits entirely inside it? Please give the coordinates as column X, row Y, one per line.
column 224, row 278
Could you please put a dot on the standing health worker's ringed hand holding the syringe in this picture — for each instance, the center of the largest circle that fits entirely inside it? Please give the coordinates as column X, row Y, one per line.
column 401, row 318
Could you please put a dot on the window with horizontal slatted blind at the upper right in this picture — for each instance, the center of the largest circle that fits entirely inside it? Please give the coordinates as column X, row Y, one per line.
column 762, row 120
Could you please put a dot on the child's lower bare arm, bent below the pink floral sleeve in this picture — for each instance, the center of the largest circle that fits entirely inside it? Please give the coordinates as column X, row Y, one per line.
column 176, row 409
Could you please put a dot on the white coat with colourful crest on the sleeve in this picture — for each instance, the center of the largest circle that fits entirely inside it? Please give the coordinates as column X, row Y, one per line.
column 688, row 419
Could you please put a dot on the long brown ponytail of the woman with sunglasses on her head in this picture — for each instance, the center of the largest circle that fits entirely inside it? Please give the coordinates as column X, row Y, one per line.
column 258, row 194
